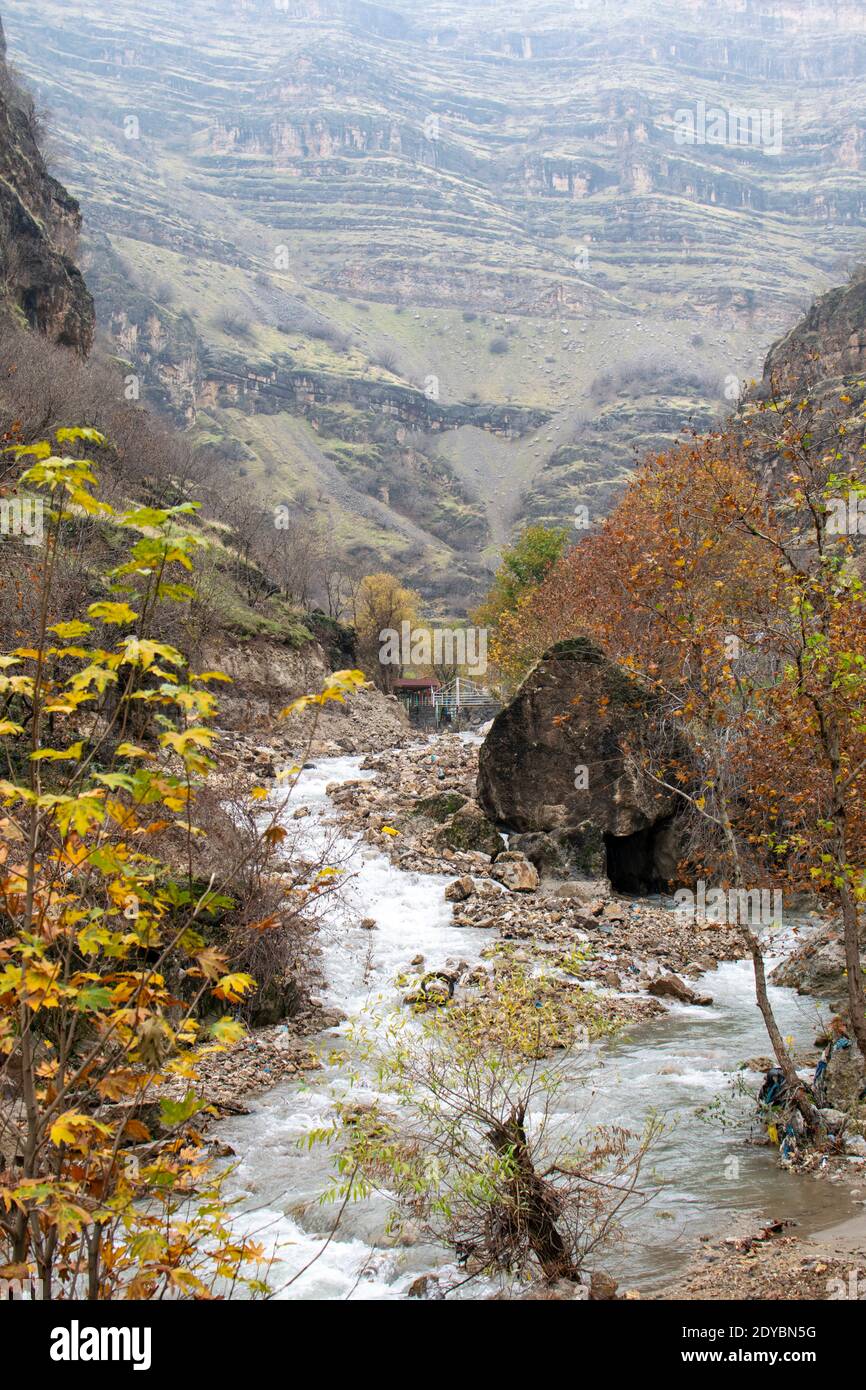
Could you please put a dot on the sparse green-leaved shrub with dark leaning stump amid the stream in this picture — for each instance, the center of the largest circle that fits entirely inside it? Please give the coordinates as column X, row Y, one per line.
column 466, row 1146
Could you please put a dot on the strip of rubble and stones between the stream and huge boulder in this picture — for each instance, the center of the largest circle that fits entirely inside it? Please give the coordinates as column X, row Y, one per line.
column 419, row 810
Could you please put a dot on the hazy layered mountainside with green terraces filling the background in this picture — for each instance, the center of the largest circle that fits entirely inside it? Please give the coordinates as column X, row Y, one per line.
column 436, row 270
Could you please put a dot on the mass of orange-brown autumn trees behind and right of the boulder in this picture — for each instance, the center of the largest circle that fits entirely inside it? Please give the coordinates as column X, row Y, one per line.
column 744, row 610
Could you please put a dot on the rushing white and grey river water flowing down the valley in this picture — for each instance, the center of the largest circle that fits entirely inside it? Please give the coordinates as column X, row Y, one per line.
column 672, row 1067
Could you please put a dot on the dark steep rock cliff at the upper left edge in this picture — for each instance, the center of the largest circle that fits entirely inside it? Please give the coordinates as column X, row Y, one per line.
column 40, row 223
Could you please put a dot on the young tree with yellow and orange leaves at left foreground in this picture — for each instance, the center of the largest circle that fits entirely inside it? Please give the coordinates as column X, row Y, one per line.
column 106, row 1189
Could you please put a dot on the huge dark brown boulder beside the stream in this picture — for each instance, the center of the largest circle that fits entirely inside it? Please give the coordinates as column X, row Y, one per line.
column 566, row 758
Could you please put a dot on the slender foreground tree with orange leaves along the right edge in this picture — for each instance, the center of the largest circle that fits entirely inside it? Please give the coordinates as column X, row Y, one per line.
column 810, row 775
